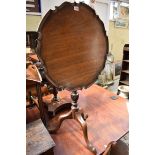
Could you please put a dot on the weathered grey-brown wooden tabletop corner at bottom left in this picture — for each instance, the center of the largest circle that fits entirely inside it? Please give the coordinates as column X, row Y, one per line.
column 38, row 140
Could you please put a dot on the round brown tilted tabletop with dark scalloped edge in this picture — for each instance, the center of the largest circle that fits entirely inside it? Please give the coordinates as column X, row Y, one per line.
column 72, row 45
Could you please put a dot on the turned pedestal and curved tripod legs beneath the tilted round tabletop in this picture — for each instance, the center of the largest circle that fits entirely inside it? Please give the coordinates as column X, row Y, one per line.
column 74, row 113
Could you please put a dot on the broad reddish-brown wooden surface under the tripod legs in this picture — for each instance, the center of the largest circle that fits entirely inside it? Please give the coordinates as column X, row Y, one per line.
column 107, row 121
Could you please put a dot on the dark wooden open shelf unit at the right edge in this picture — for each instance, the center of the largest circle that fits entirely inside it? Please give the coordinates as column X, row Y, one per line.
column 124, row 77
